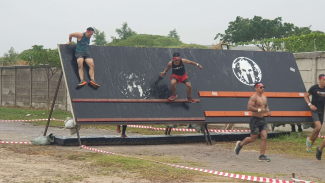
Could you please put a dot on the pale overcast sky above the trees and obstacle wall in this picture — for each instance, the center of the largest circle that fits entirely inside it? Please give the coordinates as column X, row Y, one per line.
column 25, row 23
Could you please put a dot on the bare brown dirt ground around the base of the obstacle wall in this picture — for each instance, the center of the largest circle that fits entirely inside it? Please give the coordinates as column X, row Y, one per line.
column 20, row 167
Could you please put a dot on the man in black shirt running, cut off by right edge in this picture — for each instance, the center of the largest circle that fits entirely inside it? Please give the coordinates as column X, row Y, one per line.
column 317, row 109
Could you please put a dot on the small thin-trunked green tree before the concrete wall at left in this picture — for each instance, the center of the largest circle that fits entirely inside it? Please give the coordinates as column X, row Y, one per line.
column 48, row 57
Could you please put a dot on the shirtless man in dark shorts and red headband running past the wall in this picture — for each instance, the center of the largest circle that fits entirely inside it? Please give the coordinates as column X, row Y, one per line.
column 258, row 105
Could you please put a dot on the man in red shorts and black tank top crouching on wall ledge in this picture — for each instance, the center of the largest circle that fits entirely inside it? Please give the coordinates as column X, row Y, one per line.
column 179, row 75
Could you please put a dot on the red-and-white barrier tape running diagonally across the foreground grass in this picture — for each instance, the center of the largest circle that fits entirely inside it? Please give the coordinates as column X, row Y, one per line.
column 225, row 174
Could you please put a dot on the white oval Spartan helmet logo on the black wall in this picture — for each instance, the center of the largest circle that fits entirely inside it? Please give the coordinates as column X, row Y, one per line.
column 246, row 71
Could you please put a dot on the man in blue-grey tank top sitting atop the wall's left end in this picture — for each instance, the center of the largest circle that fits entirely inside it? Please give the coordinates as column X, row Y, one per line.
column 82, row 55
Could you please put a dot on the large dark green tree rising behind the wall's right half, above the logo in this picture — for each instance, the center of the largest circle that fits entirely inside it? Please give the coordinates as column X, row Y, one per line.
column 259, row 31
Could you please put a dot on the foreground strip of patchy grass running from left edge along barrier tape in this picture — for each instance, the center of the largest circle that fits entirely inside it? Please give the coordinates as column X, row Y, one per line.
column 125, row 167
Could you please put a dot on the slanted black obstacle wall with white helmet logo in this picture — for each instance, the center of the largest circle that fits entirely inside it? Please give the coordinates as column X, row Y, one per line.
column 133, row 73
